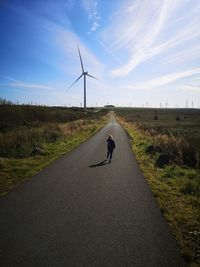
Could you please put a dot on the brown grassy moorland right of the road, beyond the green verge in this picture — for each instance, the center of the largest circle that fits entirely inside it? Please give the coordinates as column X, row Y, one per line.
column 178, row 138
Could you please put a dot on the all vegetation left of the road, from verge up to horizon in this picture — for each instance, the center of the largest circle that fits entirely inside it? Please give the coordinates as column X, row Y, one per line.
column 31, row 137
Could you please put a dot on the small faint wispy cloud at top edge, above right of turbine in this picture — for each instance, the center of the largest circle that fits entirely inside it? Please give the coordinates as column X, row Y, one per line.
column 90, row 7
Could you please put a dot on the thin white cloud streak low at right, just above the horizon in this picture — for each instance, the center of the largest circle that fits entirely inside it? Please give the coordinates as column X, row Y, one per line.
column 166, row 79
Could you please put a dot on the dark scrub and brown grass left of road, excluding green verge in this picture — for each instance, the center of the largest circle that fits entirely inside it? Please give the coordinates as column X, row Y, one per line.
column 23, row 128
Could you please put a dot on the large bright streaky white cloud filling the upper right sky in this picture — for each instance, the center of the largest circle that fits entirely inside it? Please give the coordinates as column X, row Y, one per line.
column 148, row 29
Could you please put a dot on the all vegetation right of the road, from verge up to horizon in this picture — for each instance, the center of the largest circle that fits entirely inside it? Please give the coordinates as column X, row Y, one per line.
column 167, row 146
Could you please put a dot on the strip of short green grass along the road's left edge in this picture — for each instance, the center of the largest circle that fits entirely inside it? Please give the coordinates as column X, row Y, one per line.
column 14, row 171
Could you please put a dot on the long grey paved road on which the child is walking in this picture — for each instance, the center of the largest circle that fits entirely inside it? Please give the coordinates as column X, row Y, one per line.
column 82, row 212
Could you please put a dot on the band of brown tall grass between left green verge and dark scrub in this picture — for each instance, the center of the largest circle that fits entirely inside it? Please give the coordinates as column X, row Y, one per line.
column 27, row 141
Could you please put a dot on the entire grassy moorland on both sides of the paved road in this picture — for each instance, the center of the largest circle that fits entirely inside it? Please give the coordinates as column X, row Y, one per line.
column 31, row 137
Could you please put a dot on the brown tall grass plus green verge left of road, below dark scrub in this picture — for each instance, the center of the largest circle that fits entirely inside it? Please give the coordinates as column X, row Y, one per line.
column 25, row 150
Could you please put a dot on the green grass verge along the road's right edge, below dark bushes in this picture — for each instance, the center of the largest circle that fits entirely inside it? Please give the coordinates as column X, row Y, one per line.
column 176, row 189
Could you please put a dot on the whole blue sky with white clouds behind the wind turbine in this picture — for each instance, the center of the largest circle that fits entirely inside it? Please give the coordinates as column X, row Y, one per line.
column 143, row 53
